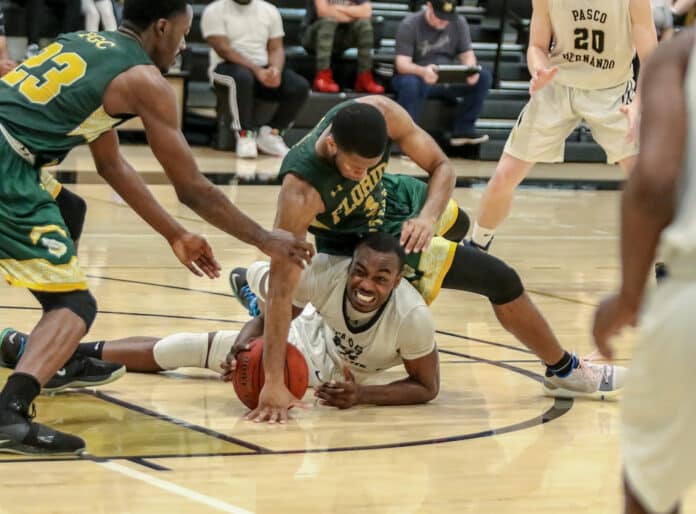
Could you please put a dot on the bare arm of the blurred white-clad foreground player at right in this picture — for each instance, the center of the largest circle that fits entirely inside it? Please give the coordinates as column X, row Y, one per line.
column 649, row 196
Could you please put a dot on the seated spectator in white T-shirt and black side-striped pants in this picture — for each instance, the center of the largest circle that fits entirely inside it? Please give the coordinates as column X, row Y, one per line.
column 247, row 56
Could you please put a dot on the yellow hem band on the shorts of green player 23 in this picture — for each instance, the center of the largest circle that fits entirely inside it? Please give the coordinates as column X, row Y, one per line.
column 42, row 275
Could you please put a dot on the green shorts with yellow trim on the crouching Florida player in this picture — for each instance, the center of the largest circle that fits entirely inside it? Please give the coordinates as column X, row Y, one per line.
column 406, row 196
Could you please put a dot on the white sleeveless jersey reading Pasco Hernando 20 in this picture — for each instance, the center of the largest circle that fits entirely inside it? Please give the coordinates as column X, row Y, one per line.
column 592, row 42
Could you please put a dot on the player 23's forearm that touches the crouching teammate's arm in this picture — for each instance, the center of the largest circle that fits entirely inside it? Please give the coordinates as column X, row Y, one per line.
column 214, row 207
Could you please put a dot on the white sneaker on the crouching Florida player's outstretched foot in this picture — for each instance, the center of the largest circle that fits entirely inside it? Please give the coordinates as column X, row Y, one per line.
column 598, row 381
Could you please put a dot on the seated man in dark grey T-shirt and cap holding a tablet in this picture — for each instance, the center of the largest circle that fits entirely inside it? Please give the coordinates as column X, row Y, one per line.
column 433, row 36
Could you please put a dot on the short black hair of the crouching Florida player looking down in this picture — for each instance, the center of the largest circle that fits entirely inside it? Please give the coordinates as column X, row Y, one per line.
column 360, row 128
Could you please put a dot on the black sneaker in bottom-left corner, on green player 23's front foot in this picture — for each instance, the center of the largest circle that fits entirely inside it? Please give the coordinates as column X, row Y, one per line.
column 19, row 434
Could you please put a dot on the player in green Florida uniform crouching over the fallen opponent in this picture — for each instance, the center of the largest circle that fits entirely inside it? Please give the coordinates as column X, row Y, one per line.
column 335, row 186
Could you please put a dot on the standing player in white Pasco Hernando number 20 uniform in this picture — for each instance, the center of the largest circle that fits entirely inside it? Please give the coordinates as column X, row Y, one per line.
column 587, row 75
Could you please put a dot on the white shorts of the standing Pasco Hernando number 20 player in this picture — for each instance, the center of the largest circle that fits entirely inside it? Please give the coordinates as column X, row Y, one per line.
column 554, row 112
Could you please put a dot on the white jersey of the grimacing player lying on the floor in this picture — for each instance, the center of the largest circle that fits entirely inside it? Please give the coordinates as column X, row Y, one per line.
column 402, row 329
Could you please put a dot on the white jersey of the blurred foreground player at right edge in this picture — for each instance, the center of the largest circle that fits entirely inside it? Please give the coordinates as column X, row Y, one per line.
column 679, row 239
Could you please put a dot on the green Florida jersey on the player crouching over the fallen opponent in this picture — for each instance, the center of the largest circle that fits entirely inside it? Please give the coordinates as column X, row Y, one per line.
column 351, row 208
